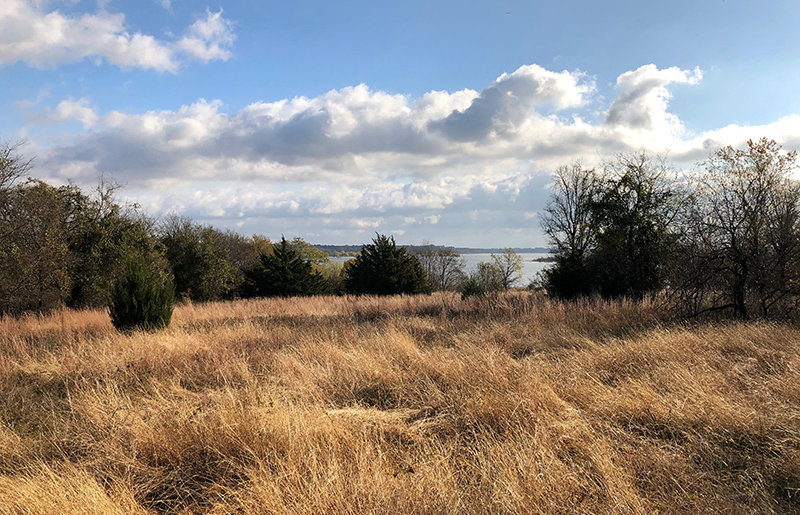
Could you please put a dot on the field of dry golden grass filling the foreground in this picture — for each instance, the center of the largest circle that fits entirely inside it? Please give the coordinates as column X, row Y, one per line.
column 400, row 405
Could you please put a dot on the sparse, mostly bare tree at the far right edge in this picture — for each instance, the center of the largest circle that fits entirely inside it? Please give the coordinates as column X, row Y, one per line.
column 743, row 241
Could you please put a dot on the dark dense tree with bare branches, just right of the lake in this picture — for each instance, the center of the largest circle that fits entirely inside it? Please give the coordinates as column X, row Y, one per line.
column 613, row 235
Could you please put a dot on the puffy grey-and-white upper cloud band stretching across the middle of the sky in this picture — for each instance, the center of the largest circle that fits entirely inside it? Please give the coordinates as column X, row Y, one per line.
column 355, row 135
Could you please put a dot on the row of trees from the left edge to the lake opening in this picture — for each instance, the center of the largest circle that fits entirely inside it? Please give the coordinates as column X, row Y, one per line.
column 61, row 246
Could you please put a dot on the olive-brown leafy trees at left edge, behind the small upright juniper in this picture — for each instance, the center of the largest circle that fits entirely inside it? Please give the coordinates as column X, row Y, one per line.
column 59, row 246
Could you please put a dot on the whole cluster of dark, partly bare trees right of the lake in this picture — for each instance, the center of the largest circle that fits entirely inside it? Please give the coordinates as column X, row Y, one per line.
column 723, row 238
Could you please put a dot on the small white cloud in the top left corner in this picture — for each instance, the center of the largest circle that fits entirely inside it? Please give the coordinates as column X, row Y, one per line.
column 47, row 39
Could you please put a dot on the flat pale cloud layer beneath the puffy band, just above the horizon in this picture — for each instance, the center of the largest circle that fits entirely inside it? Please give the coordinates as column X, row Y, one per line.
column 346, row 213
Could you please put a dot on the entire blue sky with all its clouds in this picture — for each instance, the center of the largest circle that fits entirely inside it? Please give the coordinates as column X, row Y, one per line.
column 427, row 120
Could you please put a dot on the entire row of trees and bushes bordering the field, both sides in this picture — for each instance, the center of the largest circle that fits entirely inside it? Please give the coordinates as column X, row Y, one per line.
column 722, row 239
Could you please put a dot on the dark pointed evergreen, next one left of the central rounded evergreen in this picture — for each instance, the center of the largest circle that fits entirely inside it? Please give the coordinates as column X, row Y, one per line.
column 284, row 273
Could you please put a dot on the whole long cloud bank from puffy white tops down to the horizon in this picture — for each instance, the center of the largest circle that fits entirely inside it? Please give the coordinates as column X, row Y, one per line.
column 353, row 160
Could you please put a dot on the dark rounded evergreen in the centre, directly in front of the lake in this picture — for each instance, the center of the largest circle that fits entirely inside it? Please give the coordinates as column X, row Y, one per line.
column 383, row 268
